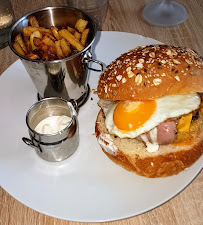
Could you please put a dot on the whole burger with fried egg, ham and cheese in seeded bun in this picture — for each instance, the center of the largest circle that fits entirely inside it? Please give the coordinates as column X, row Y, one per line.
column 151, row 116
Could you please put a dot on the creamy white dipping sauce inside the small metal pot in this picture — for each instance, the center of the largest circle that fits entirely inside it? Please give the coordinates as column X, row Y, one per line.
column 52, row 124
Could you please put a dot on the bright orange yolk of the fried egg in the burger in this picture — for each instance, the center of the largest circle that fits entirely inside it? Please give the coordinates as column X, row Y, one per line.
column 130, row 115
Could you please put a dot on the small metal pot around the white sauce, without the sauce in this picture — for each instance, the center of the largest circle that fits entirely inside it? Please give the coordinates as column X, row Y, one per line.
column 58, row 146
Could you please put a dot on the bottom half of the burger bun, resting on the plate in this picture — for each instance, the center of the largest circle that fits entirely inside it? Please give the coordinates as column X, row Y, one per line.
column 168, row 160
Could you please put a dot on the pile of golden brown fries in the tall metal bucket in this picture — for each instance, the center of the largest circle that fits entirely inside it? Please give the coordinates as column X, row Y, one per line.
column 45, row 44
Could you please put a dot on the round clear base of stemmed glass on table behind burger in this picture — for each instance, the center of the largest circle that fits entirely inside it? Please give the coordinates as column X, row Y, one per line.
column 165, row 13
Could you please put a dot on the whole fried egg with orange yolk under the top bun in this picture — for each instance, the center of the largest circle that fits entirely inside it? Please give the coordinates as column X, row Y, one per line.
column 130, row 119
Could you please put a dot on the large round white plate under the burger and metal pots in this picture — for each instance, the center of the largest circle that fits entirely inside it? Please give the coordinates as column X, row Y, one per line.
column 88, row 186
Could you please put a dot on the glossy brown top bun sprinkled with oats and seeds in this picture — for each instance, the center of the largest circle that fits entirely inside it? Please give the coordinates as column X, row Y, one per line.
column 151, row 72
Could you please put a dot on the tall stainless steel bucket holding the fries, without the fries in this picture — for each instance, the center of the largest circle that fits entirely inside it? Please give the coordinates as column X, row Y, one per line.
column 68, row 77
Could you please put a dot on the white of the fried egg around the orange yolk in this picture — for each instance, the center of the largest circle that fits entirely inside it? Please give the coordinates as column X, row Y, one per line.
column 166, row 107
